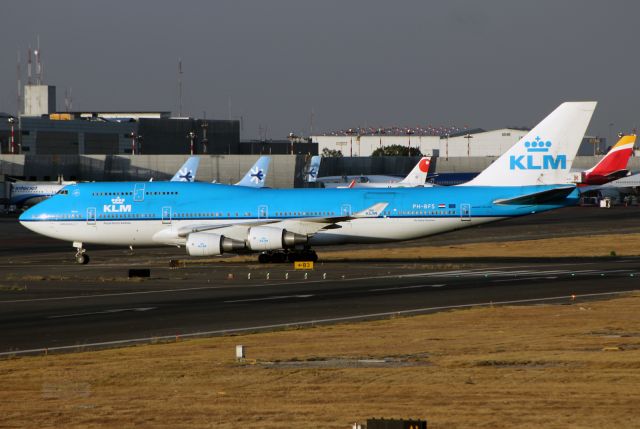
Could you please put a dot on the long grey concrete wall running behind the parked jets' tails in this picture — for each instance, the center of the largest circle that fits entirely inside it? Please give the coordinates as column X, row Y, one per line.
column 285, row 171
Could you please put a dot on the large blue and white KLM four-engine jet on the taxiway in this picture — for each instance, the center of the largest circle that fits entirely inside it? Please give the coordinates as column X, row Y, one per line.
column 284, row 224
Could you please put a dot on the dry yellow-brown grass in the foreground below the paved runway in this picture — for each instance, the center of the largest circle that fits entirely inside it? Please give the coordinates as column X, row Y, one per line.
column 540, row 366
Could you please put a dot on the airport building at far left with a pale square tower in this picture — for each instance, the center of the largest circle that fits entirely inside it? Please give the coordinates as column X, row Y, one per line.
column 41, row 130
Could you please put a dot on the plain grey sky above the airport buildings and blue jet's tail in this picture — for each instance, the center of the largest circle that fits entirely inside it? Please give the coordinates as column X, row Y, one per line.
column 479, row 63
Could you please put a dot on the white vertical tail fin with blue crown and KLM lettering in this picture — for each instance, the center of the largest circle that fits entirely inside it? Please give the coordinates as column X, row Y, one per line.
column 544, row 156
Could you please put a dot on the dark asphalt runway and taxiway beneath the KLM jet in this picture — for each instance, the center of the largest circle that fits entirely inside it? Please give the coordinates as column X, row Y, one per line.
column 49, row 303
